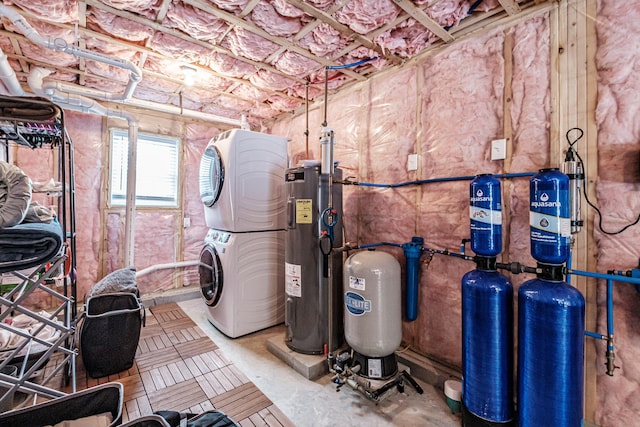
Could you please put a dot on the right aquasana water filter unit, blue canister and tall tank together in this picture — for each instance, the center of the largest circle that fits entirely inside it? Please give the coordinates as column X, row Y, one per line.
column 551, row 315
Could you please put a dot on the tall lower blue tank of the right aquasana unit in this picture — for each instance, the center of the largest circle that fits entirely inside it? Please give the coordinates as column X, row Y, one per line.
column 551, row 318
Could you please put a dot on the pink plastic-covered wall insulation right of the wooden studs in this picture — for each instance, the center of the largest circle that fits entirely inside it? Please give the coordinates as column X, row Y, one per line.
column 618, row 197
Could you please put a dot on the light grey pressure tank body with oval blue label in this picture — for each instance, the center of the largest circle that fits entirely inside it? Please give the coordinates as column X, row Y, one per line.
column 373, row 306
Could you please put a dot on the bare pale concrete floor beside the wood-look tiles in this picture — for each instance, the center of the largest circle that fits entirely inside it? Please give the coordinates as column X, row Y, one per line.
column 317, row 403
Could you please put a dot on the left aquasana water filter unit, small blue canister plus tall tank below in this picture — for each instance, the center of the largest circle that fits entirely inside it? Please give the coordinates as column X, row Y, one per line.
column 487, row 316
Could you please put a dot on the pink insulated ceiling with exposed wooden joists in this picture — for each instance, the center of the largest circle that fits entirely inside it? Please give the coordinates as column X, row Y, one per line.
column 251, row 57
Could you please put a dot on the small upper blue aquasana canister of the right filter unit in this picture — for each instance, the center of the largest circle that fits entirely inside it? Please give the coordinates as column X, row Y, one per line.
column 550, row 216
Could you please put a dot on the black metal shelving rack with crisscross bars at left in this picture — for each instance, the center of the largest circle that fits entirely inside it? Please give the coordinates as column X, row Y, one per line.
column 38, row 123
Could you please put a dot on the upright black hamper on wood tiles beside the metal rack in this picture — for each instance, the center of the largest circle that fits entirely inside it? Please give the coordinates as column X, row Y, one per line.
column 110, row 332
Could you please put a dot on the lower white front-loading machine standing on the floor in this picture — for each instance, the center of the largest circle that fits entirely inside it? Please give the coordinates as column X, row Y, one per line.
column 242, row 280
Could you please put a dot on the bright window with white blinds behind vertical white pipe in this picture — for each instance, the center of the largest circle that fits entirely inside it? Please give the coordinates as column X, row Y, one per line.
column 157, row 169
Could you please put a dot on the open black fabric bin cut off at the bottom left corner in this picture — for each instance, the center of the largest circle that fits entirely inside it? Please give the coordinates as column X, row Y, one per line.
column 92, row 401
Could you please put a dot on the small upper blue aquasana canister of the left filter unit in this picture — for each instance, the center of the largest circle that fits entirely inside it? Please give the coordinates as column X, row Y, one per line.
column 485, row 213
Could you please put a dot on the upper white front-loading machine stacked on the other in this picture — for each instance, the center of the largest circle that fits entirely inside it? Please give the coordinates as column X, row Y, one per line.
column 242, row 181
